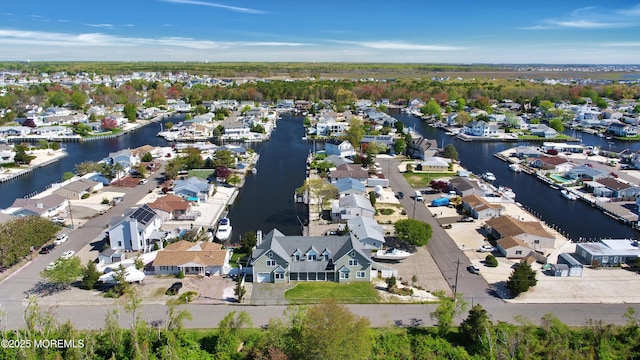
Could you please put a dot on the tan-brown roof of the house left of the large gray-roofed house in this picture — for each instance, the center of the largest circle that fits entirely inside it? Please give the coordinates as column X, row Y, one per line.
column 184, row 252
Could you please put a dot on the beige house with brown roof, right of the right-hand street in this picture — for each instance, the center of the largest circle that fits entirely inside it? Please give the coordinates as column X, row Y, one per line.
column 530, row 232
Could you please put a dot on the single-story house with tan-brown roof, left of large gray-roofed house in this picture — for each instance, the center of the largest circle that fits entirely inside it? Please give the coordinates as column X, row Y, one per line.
column 202, row 258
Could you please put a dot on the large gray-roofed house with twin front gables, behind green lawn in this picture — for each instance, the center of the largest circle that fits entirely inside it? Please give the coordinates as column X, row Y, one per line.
column 282, row 259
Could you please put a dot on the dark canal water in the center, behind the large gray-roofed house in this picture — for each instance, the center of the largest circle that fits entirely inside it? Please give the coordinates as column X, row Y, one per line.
column 266, row 200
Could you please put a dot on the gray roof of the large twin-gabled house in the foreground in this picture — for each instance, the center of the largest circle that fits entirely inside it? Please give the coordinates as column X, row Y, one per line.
column 286, row 246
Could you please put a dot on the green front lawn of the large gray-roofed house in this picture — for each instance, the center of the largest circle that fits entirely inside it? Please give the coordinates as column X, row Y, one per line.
column 313, row 292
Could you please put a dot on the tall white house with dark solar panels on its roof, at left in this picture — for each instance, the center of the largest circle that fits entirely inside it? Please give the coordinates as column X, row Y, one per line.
column 133, row 232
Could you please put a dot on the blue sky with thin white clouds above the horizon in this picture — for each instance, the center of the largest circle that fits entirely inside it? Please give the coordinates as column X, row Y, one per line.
column 419, row 31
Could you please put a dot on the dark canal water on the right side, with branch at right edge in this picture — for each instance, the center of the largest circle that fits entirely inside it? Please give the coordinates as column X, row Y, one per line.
column 575, row 218
